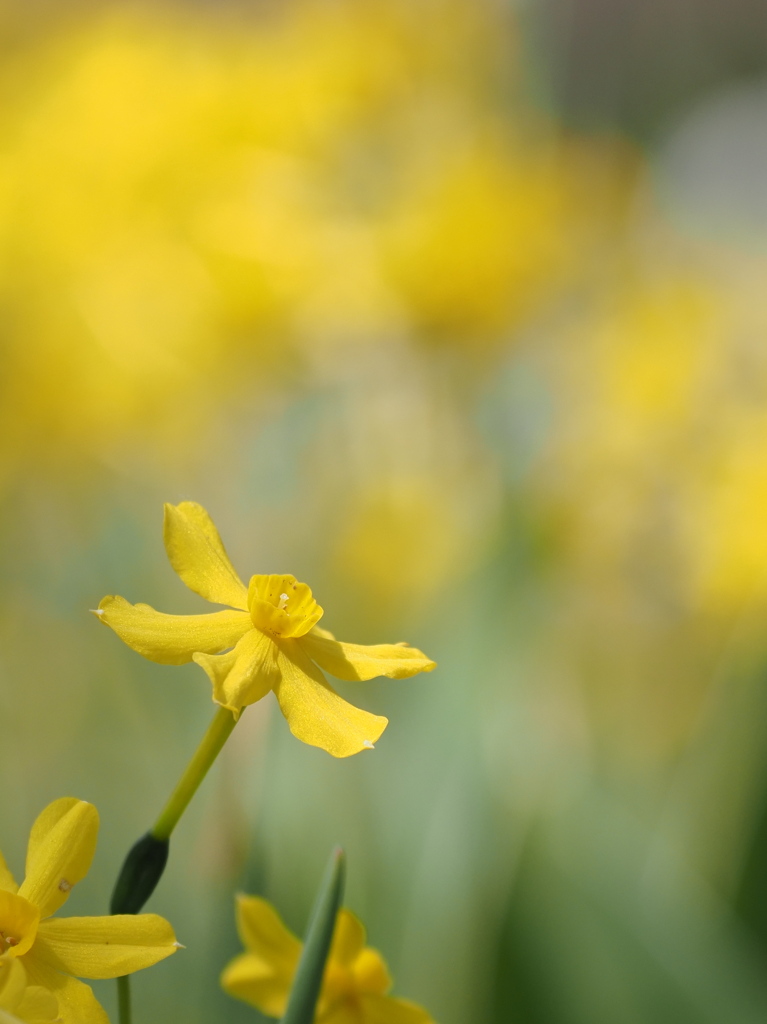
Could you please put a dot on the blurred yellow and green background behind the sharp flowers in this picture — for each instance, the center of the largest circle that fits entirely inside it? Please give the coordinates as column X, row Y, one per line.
column 455, row 311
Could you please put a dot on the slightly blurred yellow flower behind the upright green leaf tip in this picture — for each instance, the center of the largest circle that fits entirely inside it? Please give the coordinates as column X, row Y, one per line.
column 356, row 980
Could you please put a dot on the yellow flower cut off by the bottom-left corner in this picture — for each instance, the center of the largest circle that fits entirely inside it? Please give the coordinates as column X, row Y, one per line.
column 52, row 950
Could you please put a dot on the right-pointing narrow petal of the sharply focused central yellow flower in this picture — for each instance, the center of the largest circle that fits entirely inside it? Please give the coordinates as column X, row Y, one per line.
column 355, row 662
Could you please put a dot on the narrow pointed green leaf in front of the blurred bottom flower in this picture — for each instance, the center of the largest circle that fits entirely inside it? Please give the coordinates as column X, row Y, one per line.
column 307, row 985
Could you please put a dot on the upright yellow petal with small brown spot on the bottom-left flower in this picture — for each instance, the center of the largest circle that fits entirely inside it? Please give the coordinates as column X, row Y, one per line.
column 62, row 846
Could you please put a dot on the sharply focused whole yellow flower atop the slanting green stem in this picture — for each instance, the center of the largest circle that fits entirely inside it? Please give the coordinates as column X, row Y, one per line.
column 272, row 628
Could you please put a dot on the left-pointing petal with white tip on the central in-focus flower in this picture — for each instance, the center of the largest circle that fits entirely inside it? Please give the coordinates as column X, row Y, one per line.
column 173, row 639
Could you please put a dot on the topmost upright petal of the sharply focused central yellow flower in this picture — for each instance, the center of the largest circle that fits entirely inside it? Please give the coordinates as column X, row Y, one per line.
column 196, row 552
